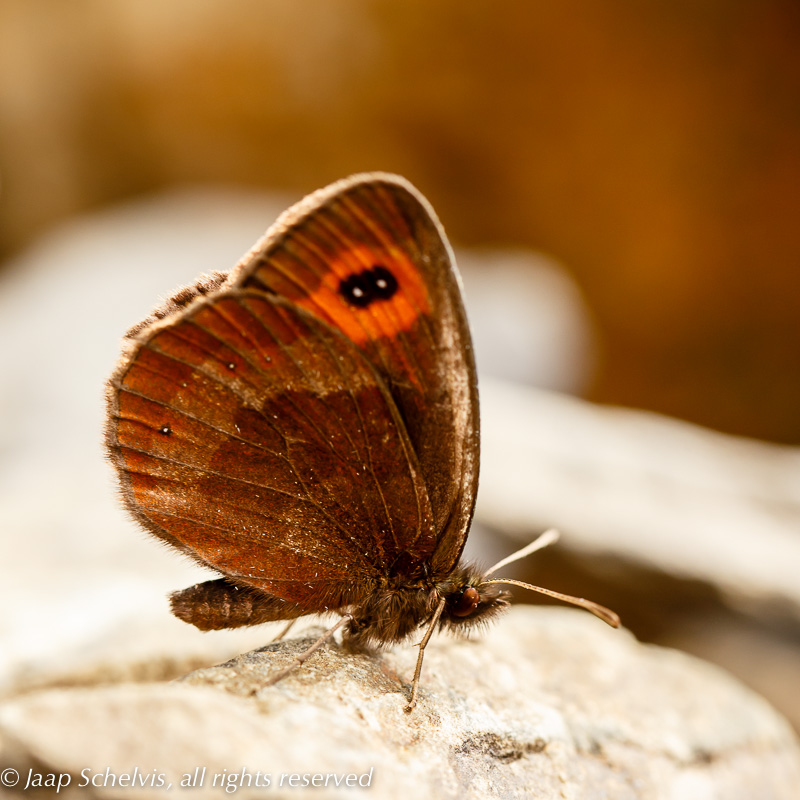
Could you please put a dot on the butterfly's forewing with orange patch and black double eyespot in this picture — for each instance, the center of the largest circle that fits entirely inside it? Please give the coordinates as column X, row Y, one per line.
column 368, row 257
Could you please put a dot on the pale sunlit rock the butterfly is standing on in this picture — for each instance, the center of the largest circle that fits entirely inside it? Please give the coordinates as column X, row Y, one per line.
column 548, row 703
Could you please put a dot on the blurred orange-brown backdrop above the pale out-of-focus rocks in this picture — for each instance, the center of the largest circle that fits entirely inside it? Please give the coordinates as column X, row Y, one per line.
column 652, row 148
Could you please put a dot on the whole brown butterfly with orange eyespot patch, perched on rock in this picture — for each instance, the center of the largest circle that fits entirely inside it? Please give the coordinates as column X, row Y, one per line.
column 307, row 426
